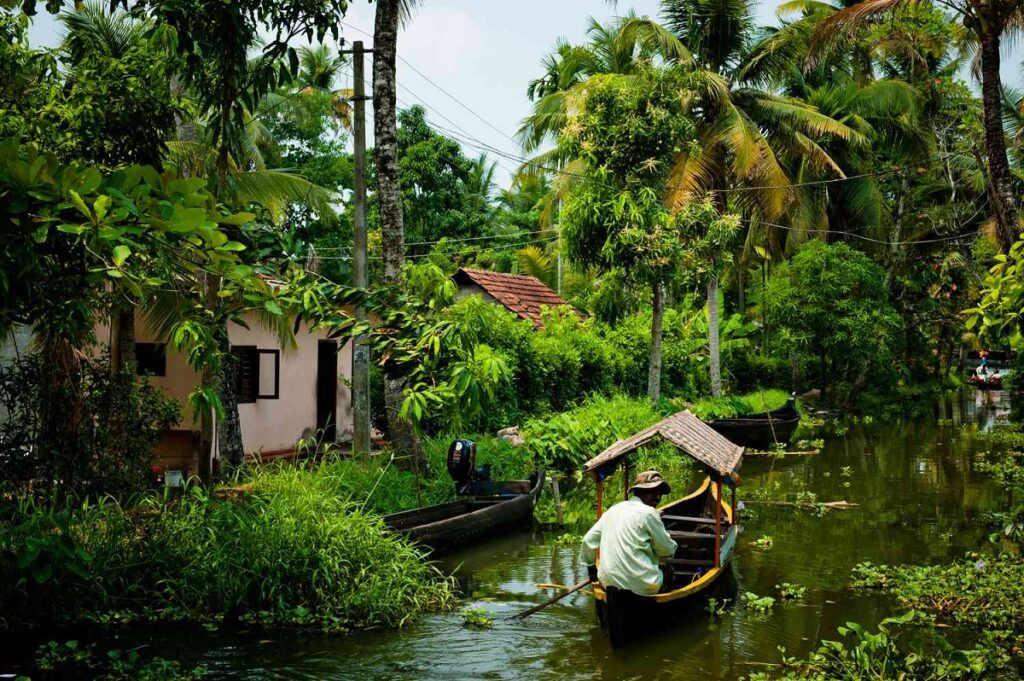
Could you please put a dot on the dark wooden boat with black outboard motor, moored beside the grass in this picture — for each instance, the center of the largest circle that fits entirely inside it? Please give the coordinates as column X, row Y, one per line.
column 485, row 509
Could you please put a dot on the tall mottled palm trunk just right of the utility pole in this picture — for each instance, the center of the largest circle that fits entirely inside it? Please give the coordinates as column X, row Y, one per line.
column 390, row 198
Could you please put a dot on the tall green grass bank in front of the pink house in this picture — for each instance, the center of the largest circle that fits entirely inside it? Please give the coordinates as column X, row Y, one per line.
column 293, row 549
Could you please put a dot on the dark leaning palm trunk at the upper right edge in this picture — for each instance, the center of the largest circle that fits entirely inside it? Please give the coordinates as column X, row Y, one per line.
column 1001, row 181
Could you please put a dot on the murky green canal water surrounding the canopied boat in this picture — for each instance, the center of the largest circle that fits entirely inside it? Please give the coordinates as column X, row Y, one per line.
column 919, row 501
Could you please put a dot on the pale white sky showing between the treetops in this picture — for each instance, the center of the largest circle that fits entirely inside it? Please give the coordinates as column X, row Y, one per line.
column 485, row 53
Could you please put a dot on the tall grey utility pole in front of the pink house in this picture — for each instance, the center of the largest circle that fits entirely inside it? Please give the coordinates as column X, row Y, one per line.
column 361, row 353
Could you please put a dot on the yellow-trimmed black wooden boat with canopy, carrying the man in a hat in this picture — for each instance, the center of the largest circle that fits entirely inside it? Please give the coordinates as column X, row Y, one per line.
column 703, row 525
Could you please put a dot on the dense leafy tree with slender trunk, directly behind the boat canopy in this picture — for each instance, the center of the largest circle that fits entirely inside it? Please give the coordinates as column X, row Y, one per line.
column 625, row 132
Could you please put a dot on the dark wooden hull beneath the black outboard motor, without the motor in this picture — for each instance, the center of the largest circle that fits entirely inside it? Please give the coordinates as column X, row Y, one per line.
column 446, row 526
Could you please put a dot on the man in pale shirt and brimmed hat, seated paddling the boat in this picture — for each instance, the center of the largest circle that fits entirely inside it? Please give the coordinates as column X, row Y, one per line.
column 633, row 541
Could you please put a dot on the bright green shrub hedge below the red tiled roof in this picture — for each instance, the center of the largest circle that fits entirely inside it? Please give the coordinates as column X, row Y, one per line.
column 554, row 368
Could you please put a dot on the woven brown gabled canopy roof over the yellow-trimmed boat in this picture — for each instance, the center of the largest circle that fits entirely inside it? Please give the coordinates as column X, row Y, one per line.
column 689, row 434
